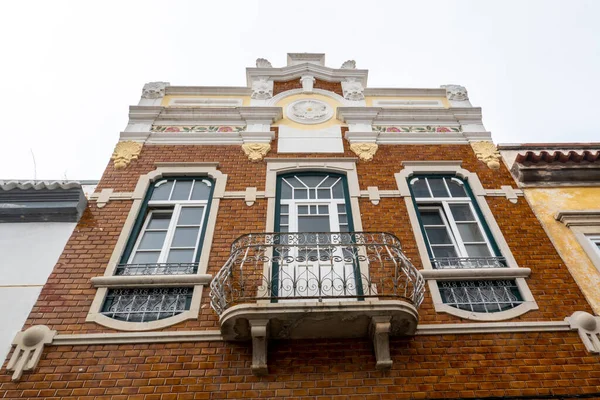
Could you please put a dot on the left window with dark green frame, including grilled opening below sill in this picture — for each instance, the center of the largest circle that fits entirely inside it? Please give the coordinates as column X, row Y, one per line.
column 166, row 240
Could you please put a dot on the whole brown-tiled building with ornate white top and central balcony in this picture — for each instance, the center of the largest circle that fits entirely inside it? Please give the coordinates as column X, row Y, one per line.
column 307, row 236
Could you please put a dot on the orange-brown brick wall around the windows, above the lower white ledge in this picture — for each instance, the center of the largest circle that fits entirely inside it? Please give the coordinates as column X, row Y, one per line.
column 65, row 300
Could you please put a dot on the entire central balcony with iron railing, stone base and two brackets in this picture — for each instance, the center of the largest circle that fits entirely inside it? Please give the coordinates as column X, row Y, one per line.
column 317, row 285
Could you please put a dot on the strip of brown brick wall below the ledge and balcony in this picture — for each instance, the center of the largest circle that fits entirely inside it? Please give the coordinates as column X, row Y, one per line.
column 433, row 367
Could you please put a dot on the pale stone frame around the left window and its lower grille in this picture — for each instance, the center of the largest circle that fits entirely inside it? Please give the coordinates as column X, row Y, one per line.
column 197, row 280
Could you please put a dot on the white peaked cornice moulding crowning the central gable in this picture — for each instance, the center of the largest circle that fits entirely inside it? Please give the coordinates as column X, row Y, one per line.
column 317, row 71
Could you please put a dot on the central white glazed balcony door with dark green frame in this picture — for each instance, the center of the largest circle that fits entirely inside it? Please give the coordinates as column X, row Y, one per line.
column 312, row 259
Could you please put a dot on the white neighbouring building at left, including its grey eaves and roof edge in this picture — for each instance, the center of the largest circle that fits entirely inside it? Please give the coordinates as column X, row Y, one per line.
column 33, row 215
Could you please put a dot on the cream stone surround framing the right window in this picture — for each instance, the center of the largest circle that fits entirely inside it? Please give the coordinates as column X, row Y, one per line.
column 432, row 275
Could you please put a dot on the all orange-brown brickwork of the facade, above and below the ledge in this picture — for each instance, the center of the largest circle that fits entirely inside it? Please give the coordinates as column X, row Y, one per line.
column 446, row 366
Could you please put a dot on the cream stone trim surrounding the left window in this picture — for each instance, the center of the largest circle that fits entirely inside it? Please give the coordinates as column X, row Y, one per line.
column 163, row 169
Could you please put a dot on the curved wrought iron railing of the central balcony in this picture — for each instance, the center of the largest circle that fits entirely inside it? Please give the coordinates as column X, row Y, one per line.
column 280, row 267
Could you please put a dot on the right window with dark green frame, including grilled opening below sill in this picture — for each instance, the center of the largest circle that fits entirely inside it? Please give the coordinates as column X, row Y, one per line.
column 457, row 237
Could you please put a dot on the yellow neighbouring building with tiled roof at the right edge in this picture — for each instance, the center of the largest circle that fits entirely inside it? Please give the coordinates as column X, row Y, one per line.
column 561, row 182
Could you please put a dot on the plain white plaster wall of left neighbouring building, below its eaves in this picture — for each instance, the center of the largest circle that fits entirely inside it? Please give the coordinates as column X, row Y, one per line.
column 28, row 253
